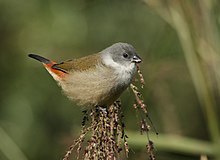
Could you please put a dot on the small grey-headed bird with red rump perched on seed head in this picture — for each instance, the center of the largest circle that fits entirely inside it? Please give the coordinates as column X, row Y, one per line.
column 97, row 79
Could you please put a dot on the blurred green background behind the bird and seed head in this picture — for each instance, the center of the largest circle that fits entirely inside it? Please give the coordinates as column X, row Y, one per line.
column 180, row 47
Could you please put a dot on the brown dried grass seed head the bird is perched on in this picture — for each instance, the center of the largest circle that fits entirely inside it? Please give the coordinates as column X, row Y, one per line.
column 106, row 130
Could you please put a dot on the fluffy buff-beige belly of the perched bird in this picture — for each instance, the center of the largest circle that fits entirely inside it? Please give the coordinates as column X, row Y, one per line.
column 100, row 87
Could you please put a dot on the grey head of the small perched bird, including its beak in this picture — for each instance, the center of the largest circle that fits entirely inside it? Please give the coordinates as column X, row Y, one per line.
column 122, row 53
